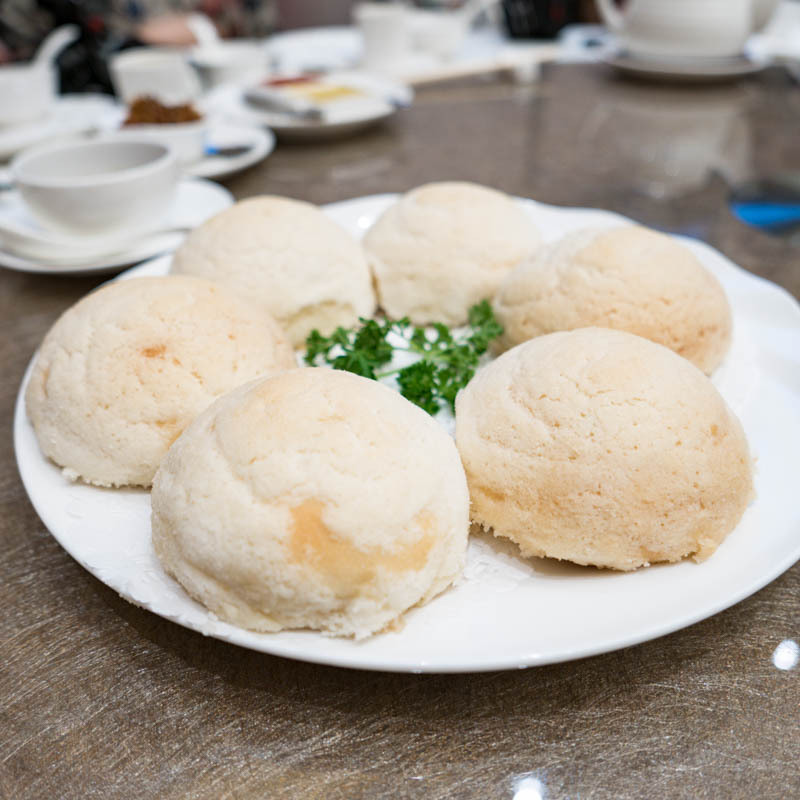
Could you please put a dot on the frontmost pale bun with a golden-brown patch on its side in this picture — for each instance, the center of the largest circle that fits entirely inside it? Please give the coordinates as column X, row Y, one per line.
column 313, row 499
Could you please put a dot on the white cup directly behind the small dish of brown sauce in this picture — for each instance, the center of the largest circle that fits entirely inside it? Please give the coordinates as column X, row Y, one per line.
column 161, row 73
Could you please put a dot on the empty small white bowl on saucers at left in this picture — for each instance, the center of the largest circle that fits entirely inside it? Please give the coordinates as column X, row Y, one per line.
column 114, row 185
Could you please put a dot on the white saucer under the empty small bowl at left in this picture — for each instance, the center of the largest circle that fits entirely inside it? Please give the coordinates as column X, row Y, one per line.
column 196, row 200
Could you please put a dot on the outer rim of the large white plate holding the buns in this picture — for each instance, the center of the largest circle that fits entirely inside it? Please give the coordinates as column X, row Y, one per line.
column 277, row 647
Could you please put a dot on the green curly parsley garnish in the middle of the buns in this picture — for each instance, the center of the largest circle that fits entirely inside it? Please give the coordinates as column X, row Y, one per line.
column 445, row 361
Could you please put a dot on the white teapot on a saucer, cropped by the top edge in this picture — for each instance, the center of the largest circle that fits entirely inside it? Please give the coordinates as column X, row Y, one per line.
column 685, row 28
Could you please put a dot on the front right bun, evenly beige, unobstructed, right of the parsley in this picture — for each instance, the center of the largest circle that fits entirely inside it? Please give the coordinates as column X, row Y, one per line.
column 599, row 447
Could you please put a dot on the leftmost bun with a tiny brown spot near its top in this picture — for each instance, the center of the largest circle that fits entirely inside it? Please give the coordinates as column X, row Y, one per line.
column 124, row 370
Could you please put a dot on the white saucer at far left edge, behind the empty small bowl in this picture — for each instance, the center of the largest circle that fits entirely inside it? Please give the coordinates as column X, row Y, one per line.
column 72, row 114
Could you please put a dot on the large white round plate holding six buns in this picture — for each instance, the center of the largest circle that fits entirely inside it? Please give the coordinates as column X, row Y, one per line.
column 506, row 612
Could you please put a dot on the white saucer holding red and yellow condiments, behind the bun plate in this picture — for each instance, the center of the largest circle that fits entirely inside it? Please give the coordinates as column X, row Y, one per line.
column 385, row 96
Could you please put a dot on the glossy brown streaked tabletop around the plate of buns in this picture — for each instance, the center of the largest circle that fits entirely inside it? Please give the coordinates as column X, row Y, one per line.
column 100, row 699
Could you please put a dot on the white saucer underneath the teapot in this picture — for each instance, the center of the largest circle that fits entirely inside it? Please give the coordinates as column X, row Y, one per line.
column 689, row 70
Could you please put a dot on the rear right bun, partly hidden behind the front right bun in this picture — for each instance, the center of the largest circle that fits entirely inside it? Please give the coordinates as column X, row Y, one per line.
column 629, row 278
